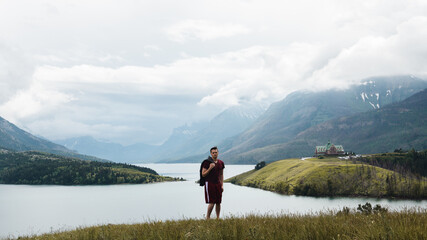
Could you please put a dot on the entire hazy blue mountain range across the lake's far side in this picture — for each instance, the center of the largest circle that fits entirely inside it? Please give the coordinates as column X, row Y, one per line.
column 372, row 116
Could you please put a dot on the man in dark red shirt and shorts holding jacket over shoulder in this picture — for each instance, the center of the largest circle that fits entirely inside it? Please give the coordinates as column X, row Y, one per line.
column 212, row 172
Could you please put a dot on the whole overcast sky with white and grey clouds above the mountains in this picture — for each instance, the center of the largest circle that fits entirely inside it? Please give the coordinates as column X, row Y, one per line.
column 130, row 71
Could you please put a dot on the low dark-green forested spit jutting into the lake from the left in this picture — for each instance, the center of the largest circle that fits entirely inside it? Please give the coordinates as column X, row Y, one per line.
column 33, row 167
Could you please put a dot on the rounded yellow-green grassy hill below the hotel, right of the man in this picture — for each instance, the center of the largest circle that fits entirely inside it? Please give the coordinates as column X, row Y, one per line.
column 333, row 177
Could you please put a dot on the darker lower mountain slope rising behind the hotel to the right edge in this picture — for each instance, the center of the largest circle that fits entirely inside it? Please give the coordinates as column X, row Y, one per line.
column 398, row 125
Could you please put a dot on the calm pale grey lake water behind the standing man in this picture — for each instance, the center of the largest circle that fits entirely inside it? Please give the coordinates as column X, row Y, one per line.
column 26, row 210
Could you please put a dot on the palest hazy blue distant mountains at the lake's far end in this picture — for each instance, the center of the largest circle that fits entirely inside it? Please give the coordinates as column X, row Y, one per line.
column 186, row 140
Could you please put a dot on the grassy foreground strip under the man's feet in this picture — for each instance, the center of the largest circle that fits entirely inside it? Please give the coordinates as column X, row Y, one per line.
column 408, row 224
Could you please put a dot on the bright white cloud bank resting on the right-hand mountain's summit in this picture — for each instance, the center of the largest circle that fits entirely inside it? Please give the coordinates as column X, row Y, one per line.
column 404, row 52
